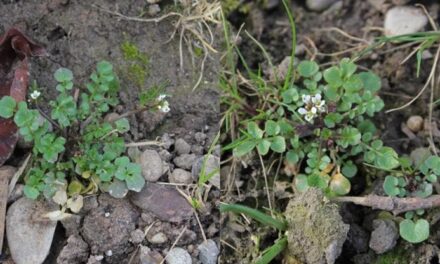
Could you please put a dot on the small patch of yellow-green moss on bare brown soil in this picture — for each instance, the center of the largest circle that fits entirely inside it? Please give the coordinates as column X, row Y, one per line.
column 137, row 63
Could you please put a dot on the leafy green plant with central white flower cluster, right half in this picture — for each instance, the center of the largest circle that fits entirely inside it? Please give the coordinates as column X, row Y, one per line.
column 322, row 123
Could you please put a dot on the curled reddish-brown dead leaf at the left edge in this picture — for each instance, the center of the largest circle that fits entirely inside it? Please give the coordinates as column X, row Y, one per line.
column 15, row 49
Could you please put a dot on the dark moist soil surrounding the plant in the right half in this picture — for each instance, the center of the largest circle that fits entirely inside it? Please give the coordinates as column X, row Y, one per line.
column 269, row 24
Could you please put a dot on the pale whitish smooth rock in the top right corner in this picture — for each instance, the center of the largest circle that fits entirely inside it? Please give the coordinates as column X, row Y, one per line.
column 404, row 20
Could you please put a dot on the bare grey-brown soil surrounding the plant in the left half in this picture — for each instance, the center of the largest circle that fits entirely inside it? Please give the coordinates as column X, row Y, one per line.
column 77, row 34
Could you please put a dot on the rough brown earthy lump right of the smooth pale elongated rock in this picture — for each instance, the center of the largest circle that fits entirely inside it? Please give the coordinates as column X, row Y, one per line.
column 108, row 227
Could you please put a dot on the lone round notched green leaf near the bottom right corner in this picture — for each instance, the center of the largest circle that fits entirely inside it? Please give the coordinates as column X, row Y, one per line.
column 414, row 232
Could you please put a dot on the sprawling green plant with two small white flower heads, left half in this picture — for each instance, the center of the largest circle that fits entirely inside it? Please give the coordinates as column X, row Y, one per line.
column 76, row 151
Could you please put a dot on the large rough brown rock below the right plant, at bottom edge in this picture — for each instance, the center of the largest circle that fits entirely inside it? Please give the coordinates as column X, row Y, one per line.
column 322, row 233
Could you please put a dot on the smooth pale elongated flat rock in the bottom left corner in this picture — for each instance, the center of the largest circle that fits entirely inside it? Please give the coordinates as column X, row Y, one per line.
column 29, row 236
